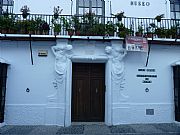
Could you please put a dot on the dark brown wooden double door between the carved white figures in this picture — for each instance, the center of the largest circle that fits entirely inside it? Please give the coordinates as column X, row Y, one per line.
column 88, row 92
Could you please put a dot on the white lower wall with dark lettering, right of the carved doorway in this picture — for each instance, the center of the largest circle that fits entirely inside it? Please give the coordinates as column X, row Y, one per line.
column 160, row 96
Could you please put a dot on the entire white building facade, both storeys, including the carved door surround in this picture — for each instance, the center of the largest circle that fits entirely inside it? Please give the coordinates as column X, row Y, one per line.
column 60, row 79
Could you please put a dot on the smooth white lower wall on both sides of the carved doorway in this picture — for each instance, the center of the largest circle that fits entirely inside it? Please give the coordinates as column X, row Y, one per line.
column 37, row 108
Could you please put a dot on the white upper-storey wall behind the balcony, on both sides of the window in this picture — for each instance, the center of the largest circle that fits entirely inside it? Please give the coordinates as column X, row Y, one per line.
column 46, row 7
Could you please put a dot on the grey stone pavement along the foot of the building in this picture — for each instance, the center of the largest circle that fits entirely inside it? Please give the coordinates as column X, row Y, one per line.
column 94, row 129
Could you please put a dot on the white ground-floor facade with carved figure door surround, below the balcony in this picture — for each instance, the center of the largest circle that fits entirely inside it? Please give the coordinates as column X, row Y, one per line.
column 44, row 92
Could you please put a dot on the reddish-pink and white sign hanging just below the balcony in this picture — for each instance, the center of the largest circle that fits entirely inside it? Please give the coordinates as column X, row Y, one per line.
column 136, row 44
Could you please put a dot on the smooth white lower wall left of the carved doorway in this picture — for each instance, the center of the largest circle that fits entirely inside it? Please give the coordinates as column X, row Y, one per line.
column 23, row 107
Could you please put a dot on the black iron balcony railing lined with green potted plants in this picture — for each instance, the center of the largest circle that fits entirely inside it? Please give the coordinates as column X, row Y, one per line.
column 88, row 25
